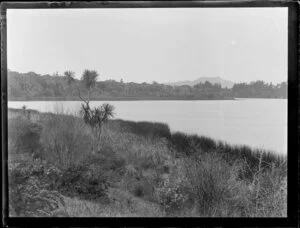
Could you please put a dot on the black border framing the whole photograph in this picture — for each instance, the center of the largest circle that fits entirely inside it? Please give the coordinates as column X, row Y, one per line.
column 293, row 125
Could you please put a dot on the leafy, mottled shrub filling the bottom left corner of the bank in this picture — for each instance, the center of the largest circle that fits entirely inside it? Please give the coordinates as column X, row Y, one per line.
column 30, row 193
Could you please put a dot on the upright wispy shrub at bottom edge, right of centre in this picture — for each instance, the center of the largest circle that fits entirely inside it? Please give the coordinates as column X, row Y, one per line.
column 208, row 177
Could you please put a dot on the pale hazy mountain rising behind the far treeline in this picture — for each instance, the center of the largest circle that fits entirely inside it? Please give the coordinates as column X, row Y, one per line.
column 213, row 80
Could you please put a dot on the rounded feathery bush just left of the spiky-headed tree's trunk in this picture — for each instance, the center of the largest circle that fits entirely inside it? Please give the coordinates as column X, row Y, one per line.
column 66, row 140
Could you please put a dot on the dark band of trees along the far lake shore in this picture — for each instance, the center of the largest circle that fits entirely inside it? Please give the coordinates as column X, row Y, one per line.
column 32, row 86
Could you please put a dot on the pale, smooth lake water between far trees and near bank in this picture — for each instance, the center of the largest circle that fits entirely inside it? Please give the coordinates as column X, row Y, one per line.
column 259, row 123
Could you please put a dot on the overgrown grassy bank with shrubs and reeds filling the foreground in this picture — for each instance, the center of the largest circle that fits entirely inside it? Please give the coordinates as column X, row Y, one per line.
column 141, row 169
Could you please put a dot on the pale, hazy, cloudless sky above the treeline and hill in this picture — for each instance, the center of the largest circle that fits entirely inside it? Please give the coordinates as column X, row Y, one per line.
column 145, row 45
